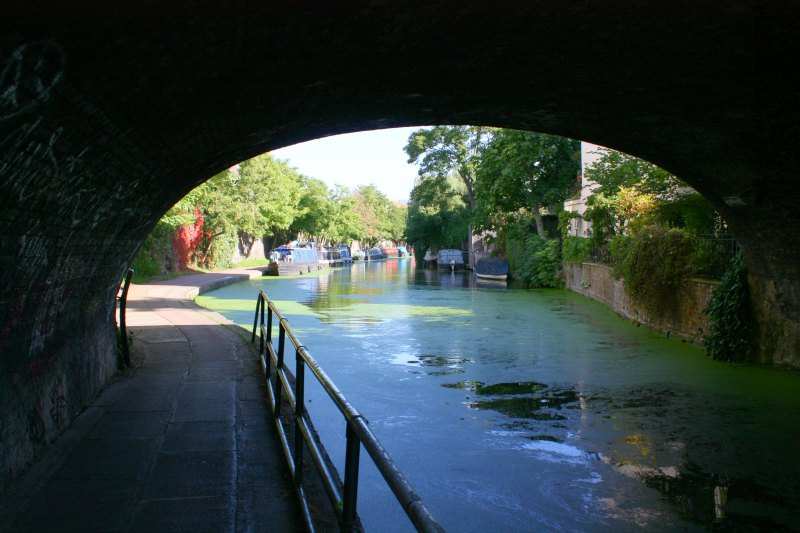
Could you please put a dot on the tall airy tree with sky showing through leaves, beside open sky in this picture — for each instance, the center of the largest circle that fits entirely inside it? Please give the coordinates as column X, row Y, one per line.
column 443, row 151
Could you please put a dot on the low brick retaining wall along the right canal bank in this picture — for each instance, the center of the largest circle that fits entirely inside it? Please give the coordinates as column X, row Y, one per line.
column 686, row 319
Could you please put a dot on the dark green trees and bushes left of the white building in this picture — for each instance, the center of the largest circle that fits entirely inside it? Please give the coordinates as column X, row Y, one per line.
column 490, row 180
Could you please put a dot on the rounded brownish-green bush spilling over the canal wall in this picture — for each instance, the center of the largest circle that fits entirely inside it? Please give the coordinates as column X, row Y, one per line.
column 654, row 263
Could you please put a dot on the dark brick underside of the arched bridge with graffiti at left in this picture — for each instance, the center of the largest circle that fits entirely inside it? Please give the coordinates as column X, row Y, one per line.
column 106, row 121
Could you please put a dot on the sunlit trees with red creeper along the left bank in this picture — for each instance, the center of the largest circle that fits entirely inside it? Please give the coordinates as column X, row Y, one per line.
column 264, row 199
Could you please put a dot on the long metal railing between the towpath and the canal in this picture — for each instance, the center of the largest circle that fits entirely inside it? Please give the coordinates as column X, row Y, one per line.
column 342, row 497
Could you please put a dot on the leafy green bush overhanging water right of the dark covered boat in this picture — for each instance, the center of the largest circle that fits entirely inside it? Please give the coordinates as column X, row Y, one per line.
column 534, row 261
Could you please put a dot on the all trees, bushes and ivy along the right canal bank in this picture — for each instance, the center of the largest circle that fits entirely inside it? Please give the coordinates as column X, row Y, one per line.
column 510, row 186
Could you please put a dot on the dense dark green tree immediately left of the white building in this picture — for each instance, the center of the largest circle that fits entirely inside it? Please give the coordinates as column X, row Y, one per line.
column 527, row 170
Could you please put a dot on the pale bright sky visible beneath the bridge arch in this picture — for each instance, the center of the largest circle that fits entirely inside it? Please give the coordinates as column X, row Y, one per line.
column 368, row 157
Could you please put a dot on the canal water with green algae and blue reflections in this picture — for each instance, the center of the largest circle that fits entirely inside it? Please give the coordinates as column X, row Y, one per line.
column 530, row 410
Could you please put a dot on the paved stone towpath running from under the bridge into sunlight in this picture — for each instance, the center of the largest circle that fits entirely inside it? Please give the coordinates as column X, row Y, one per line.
column 181, row 443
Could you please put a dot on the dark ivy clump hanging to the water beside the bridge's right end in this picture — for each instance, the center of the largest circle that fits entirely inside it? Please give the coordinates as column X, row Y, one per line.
column 730, row 336
